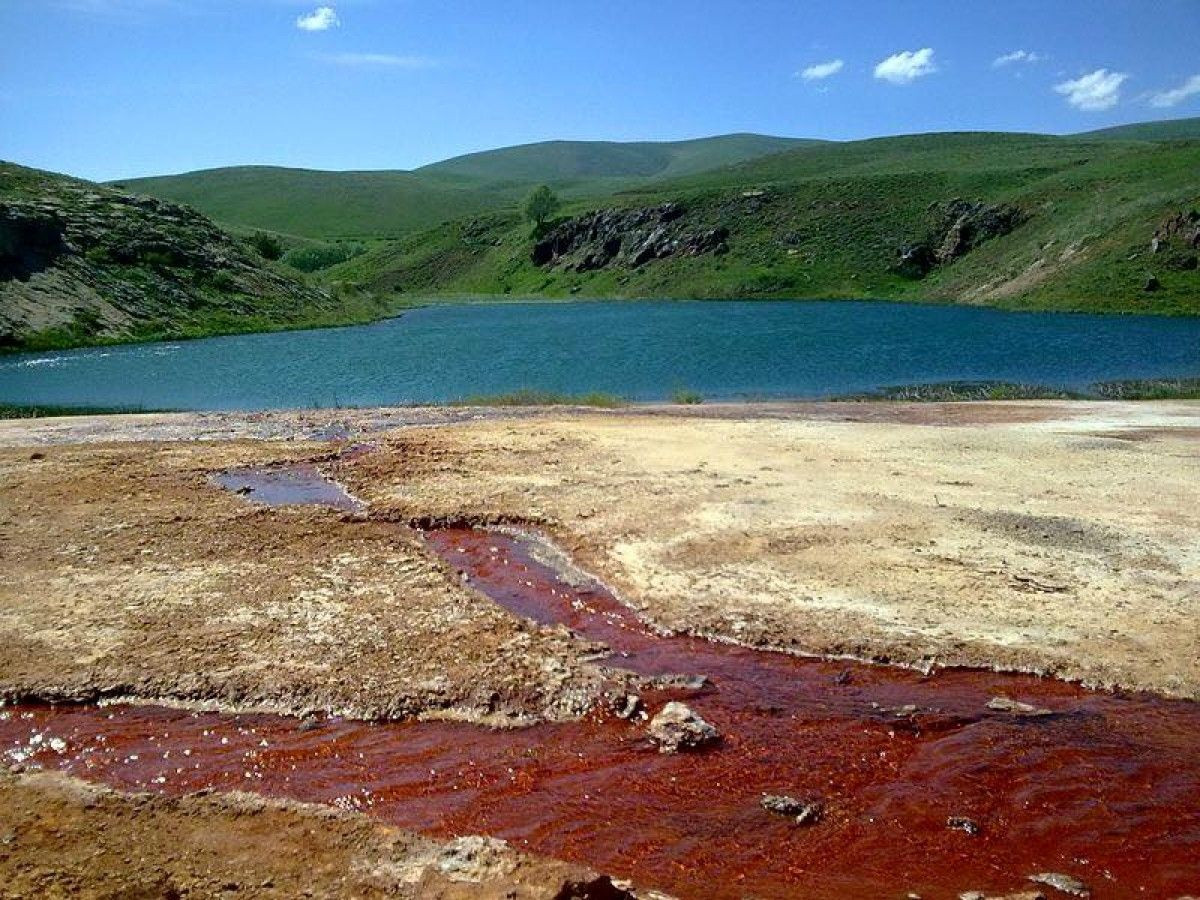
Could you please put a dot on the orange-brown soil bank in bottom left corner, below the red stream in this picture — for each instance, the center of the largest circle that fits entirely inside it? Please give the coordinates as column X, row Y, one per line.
column 61, row 838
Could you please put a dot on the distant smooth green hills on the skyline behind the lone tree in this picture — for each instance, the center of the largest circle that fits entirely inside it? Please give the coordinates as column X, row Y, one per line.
column 373, row 205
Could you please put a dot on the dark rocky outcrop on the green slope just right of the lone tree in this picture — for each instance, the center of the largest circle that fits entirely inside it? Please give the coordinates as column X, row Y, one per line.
column 629, row 238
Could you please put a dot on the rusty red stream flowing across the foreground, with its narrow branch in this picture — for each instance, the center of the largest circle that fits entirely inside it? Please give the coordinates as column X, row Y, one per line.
column 1106, row 789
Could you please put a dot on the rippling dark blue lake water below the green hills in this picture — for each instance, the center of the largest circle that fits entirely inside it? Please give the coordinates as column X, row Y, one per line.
column 640, row 351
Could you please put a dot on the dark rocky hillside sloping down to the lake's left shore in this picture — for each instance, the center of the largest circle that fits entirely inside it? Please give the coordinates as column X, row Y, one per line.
column 86, row 265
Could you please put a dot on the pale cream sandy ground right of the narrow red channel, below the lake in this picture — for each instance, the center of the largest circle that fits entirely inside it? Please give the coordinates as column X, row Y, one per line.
column 1051, row 538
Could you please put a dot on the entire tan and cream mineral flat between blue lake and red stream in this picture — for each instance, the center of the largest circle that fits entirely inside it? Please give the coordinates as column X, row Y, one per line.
column 1049, row 537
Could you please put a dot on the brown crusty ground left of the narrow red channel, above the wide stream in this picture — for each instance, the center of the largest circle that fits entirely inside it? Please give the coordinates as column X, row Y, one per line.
column 129, row 574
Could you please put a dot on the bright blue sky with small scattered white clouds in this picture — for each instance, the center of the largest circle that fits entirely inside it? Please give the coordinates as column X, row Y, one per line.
column 118, row 88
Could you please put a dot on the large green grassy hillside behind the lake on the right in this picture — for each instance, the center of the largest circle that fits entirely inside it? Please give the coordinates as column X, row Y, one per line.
column 831, row 221
